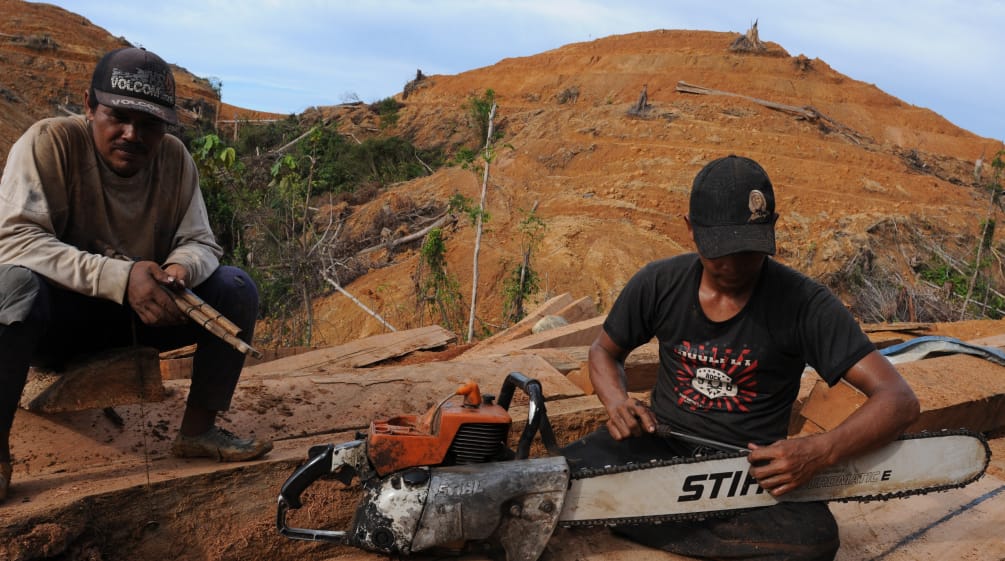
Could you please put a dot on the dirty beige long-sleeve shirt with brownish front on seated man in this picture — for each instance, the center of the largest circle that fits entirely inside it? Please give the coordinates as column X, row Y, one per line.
column 62, row 209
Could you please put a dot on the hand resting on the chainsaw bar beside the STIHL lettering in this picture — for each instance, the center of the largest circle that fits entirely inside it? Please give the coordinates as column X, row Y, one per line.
column 787, row 465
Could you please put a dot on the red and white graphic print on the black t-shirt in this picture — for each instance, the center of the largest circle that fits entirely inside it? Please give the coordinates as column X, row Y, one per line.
column 715, row 379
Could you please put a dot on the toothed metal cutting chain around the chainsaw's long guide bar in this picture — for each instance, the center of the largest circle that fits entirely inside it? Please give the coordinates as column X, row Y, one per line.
column 697, row 517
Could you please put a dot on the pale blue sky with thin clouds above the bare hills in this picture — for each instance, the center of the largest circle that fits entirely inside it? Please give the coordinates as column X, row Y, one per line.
column 288, row 56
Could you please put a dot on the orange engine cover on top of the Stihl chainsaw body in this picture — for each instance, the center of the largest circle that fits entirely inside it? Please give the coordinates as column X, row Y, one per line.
column 413, row 441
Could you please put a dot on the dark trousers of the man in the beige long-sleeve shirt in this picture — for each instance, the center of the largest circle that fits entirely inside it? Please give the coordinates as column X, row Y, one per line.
column 60, row 325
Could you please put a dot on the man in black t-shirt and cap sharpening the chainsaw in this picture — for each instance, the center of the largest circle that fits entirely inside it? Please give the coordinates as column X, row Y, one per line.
column 736, row 330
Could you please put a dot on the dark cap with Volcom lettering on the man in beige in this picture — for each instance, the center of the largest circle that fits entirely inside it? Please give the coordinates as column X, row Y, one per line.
column 135, row 79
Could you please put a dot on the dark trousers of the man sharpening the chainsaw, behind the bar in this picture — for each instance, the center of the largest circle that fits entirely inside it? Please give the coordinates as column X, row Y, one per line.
column 787, row 531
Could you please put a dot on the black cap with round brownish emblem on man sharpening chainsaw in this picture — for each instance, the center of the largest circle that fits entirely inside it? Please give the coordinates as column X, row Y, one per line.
column 733, row 209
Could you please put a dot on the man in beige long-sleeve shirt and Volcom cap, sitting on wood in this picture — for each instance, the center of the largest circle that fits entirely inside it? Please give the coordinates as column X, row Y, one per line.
column 78, row 191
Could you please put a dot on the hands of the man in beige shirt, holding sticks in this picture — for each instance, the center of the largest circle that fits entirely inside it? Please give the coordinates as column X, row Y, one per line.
column 147, row 297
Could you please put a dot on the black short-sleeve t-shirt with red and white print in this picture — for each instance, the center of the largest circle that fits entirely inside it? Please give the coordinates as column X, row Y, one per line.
column 735, row 382
